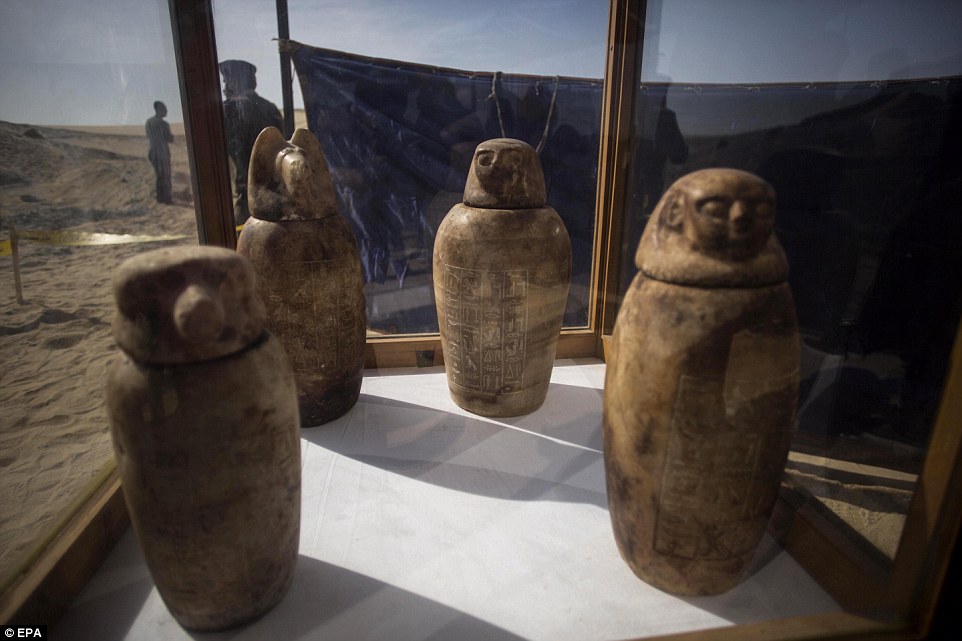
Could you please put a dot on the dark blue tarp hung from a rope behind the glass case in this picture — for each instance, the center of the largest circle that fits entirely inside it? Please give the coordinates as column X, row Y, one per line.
column 868, row 177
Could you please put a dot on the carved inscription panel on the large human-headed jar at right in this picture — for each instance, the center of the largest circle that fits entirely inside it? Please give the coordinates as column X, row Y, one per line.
column 720, row 472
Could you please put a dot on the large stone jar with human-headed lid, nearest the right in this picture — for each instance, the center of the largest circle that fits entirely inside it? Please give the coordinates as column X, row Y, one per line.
column 701, row 385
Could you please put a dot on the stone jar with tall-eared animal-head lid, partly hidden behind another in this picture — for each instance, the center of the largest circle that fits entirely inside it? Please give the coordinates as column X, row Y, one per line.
column 308, row 271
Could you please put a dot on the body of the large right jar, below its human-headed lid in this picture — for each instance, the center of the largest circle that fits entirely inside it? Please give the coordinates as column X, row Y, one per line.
column 699, row 404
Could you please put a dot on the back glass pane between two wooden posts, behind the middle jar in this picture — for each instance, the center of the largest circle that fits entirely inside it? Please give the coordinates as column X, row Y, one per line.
column 400, row 96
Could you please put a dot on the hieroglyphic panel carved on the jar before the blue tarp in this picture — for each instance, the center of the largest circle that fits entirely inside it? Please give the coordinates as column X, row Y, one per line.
column 485, row 319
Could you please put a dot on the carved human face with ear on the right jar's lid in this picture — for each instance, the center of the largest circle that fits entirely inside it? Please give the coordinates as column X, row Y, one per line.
column 724, row 214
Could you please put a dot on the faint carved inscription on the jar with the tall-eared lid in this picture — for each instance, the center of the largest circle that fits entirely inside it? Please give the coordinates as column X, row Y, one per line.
column 313, row 316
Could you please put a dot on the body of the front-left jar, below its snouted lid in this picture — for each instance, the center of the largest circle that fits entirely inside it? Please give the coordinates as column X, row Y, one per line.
column 209, row 456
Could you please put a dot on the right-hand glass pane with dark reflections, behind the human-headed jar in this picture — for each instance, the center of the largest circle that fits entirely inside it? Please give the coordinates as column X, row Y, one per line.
column 853, row 112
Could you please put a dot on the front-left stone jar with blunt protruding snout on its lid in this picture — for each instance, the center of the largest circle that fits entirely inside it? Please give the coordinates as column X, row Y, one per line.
column 203, row 417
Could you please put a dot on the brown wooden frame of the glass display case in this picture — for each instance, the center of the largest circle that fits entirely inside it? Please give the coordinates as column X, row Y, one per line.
column 883, row 604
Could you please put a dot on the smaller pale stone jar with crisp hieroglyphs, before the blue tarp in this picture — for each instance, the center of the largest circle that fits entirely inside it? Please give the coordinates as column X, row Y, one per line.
column 502, row 265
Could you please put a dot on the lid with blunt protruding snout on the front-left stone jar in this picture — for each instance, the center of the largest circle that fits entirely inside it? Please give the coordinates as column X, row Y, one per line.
column 186, row 304
